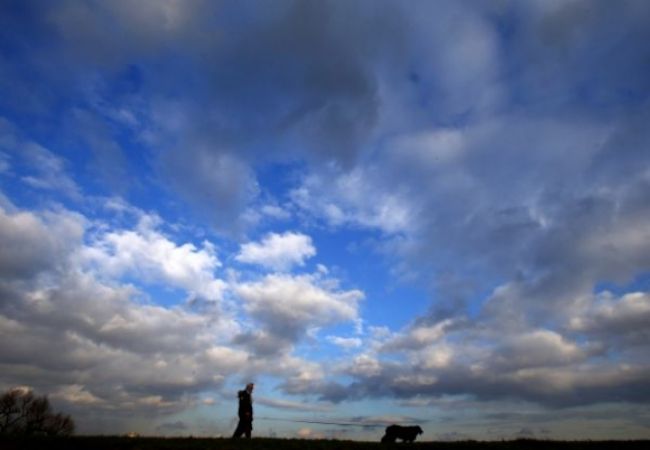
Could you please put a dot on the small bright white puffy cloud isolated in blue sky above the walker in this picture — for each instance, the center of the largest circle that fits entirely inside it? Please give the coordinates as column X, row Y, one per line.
column 278, row 251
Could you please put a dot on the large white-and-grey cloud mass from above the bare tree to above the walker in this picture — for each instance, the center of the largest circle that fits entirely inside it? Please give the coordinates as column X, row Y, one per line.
column 125, row 354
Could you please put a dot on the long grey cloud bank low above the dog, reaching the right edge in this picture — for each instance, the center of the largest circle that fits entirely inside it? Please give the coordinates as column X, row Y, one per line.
column 489, row 360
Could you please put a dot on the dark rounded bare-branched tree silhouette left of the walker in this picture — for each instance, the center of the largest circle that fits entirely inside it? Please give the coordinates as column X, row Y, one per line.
column 21, row 412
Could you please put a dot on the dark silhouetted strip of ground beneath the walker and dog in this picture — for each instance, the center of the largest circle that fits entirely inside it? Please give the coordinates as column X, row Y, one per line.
column 123, row 443
